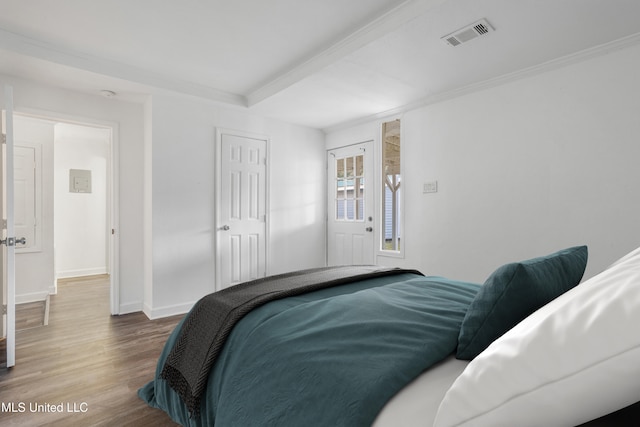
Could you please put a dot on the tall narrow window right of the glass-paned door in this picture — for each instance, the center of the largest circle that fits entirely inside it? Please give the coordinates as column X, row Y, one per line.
column 391, row 187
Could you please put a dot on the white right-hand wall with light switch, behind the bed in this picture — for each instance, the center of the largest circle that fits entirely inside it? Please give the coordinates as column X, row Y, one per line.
column 523, row 169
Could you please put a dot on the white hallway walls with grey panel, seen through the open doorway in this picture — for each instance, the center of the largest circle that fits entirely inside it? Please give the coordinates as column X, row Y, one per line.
column 75, row 216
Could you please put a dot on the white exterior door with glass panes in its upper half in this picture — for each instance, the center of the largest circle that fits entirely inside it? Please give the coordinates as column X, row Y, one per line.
column 350, row 234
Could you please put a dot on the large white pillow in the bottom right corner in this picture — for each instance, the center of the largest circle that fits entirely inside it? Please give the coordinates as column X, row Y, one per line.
column 573, row 360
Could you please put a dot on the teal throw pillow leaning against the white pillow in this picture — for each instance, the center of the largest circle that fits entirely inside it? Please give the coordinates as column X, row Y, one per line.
column 513, row 292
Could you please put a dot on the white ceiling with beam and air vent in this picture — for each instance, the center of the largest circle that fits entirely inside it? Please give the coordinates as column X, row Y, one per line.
column 319, row 63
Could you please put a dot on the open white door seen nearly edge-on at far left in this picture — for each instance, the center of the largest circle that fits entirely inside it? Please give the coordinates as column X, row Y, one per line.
column 8, row 236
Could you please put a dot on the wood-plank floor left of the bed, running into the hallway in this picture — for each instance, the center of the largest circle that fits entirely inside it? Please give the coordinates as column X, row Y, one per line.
column 85, row 359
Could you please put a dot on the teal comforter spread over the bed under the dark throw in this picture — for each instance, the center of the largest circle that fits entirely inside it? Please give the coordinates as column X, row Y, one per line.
column 327, row 358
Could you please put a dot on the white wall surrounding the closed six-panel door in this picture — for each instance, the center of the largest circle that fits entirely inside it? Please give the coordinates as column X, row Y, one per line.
column 182, row 214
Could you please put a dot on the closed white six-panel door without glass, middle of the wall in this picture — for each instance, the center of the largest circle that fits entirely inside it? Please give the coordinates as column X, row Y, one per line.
column 241, row 213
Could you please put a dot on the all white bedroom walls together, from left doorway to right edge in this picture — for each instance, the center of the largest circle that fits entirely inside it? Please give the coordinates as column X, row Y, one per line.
column 523, row 169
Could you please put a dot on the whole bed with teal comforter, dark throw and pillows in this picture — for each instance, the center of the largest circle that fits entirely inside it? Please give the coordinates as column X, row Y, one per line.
column 391, row 347
